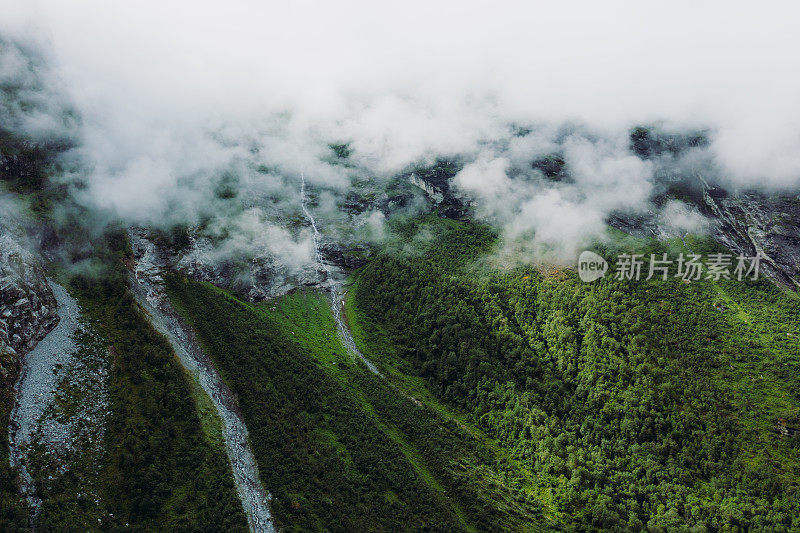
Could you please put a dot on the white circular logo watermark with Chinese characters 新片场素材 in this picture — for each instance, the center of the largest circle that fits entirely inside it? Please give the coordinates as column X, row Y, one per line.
column 688, row 267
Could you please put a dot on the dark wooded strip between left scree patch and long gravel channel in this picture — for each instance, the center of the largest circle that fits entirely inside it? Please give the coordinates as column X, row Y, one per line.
column 162, row 471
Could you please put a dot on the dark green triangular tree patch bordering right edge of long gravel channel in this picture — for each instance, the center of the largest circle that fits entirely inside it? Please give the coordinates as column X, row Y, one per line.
column 326, row 462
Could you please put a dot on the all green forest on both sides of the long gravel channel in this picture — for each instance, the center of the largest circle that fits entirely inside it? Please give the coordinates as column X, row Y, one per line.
column 512, row 398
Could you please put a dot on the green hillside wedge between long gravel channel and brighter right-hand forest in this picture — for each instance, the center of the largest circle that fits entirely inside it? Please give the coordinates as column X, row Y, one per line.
column 339, row 448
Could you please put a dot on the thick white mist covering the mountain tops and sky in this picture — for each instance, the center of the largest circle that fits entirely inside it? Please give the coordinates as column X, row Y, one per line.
column 181, row 115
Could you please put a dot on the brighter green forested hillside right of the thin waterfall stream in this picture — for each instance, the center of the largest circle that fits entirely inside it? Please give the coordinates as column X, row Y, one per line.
column 658, row 405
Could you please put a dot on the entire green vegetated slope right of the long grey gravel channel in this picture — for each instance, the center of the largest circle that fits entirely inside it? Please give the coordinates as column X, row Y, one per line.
column 515, row 399
